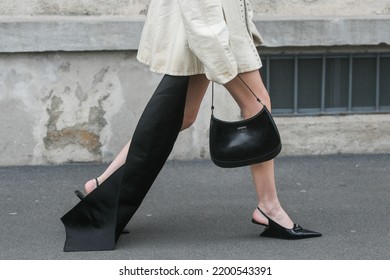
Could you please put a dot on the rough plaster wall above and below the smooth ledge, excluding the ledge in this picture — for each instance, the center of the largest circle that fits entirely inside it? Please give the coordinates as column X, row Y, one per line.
column 66, row 107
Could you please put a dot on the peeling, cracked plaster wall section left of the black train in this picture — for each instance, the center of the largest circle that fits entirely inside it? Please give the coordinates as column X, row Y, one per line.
column 65, row 107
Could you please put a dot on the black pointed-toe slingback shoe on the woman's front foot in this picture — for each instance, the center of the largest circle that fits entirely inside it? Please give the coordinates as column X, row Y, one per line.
column 277, row 231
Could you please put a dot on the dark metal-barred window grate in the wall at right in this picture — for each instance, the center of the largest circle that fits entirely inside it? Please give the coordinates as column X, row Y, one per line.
column 328, row 84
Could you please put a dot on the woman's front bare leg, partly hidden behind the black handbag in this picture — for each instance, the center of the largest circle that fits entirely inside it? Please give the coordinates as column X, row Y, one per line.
column 262, row 173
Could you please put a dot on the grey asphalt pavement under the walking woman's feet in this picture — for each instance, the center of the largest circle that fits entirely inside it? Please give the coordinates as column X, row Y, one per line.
column 196, row 210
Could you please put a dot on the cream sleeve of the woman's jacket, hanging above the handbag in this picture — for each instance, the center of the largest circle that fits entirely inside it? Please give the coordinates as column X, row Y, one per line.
column 208, row 37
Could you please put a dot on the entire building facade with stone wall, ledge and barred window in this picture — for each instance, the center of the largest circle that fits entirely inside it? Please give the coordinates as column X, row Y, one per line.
column 71, row 89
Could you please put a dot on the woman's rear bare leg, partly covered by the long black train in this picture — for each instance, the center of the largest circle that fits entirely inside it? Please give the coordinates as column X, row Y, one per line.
column 196, row 90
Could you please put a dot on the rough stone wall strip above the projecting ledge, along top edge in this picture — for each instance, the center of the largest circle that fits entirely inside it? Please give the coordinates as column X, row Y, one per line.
column 135, row 7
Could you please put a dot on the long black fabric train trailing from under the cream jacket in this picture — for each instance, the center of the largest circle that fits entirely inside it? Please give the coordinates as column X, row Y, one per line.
column 97, row 221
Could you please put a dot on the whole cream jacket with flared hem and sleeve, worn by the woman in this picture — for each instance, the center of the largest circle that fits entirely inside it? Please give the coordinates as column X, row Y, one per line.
column 188, row 37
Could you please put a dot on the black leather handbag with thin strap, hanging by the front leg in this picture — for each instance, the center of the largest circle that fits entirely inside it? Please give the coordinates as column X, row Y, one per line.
column 245, row 142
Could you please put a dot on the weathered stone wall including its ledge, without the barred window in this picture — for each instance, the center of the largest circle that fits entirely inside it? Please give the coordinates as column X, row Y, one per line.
column 72, row 90
